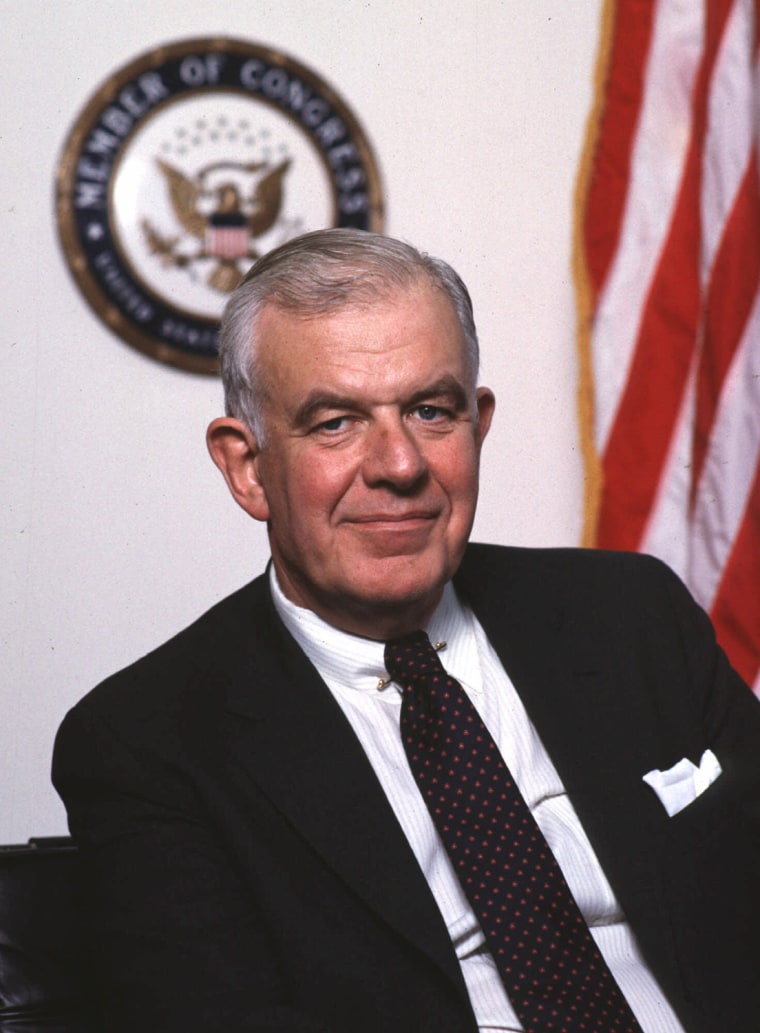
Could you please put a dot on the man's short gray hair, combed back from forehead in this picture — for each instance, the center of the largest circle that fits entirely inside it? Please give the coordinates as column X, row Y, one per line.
column 320, row 274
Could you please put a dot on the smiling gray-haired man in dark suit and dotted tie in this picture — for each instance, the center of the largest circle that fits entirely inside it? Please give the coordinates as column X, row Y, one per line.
column 249, row 798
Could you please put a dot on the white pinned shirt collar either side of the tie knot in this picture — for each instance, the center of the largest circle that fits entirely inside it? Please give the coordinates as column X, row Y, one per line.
column 356, row 664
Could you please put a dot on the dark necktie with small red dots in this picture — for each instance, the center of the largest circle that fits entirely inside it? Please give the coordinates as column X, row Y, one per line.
column 556, row 978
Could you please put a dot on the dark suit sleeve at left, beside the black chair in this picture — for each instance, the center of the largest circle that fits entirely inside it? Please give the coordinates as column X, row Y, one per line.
column 178, row 945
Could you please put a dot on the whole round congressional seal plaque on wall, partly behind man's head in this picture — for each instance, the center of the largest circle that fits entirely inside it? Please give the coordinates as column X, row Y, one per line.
column 186, row 167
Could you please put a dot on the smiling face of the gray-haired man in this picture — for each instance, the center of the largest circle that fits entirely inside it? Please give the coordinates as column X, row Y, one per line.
column 369, row 476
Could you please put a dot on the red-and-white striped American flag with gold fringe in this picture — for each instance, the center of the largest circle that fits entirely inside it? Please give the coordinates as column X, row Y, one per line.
column 669, row 257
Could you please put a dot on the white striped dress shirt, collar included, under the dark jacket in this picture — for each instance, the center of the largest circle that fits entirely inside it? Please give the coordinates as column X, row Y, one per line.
column 355, row 671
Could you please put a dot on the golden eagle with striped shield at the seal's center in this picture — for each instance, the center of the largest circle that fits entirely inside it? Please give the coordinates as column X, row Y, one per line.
column 225, row 208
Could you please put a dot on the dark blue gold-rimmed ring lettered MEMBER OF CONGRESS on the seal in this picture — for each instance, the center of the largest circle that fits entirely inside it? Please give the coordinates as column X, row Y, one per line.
column 104, row 132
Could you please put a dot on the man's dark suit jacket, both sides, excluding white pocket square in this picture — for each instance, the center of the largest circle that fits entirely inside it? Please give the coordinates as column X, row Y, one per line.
column 248, row 873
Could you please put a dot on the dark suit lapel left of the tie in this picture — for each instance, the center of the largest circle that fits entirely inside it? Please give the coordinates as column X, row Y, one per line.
column 291, row 736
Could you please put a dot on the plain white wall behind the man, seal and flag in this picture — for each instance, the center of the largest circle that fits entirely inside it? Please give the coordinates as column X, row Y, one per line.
column 116, row 529
